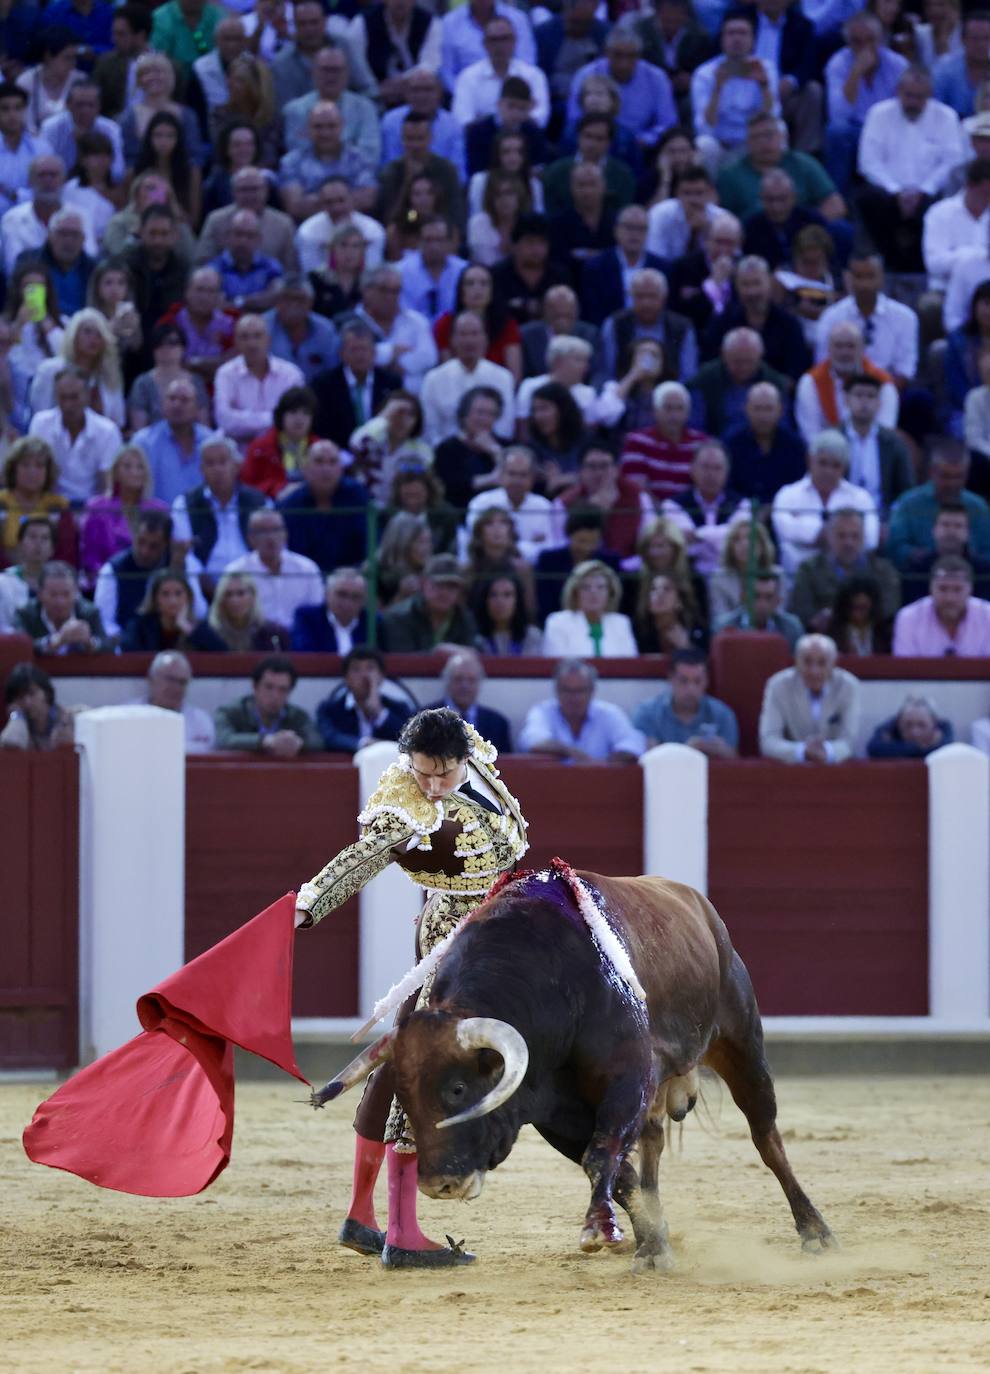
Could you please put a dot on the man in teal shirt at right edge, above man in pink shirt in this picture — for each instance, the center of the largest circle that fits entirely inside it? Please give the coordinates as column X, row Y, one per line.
column 911, row 538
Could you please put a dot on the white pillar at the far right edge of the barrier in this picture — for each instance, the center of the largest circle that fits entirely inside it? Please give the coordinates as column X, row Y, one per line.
column 959, row 884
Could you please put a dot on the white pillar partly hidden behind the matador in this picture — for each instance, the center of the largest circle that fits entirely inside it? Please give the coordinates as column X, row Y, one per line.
column 389, row 905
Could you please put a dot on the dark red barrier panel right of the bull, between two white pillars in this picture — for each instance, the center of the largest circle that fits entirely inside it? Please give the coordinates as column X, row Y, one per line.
column 822, row 876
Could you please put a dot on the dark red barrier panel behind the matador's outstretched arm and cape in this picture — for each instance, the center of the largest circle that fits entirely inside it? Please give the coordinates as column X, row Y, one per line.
column 256, row 831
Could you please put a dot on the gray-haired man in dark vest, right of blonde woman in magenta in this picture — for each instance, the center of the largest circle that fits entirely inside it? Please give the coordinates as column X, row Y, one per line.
column 214, row 519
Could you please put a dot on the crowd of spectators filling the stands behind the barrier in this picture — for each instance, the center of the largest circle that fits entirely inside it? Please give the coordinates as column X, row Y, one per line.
column 580, row 329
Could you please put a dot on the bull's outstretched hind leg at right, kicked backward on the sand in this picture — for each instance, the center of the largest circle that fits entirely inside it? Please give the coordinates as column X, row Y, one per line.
column 738, row 1057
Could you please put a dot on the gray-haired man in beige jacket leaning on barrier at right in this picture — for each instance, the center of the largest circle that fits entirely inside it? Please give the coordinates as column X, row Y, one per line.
column 811, row 712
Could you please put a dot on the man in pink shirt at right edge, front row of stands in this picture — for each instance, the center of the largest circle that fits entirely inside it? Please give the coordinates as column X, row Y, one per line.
column 948, row 622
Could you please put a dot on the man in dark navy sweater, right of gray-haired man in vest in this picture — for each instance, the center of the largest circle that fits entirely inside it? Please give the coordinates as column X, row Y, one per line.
column 326, row 512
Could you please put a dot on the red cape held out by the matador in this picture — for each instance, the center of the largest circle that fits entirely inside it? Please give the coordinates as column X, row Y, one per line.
column 156, row 1118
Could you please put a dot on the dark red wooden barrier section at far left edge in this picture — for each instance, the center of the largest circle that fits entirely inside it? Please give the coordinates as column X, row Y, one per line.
column 39, row 914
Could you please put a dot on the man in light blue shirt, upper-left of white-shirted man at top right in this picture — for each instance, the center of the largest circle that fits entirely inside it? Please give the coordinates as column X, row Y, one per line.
column 857, row 78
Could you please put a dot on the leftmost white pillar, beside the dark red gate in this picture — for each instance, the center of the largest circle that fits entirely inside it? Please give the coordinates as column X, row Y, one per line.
column 133, row 865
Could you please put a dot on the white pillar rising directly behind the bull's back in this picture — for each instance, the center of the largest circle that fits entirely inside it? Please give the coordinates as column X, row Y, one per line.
column 676, row 815
